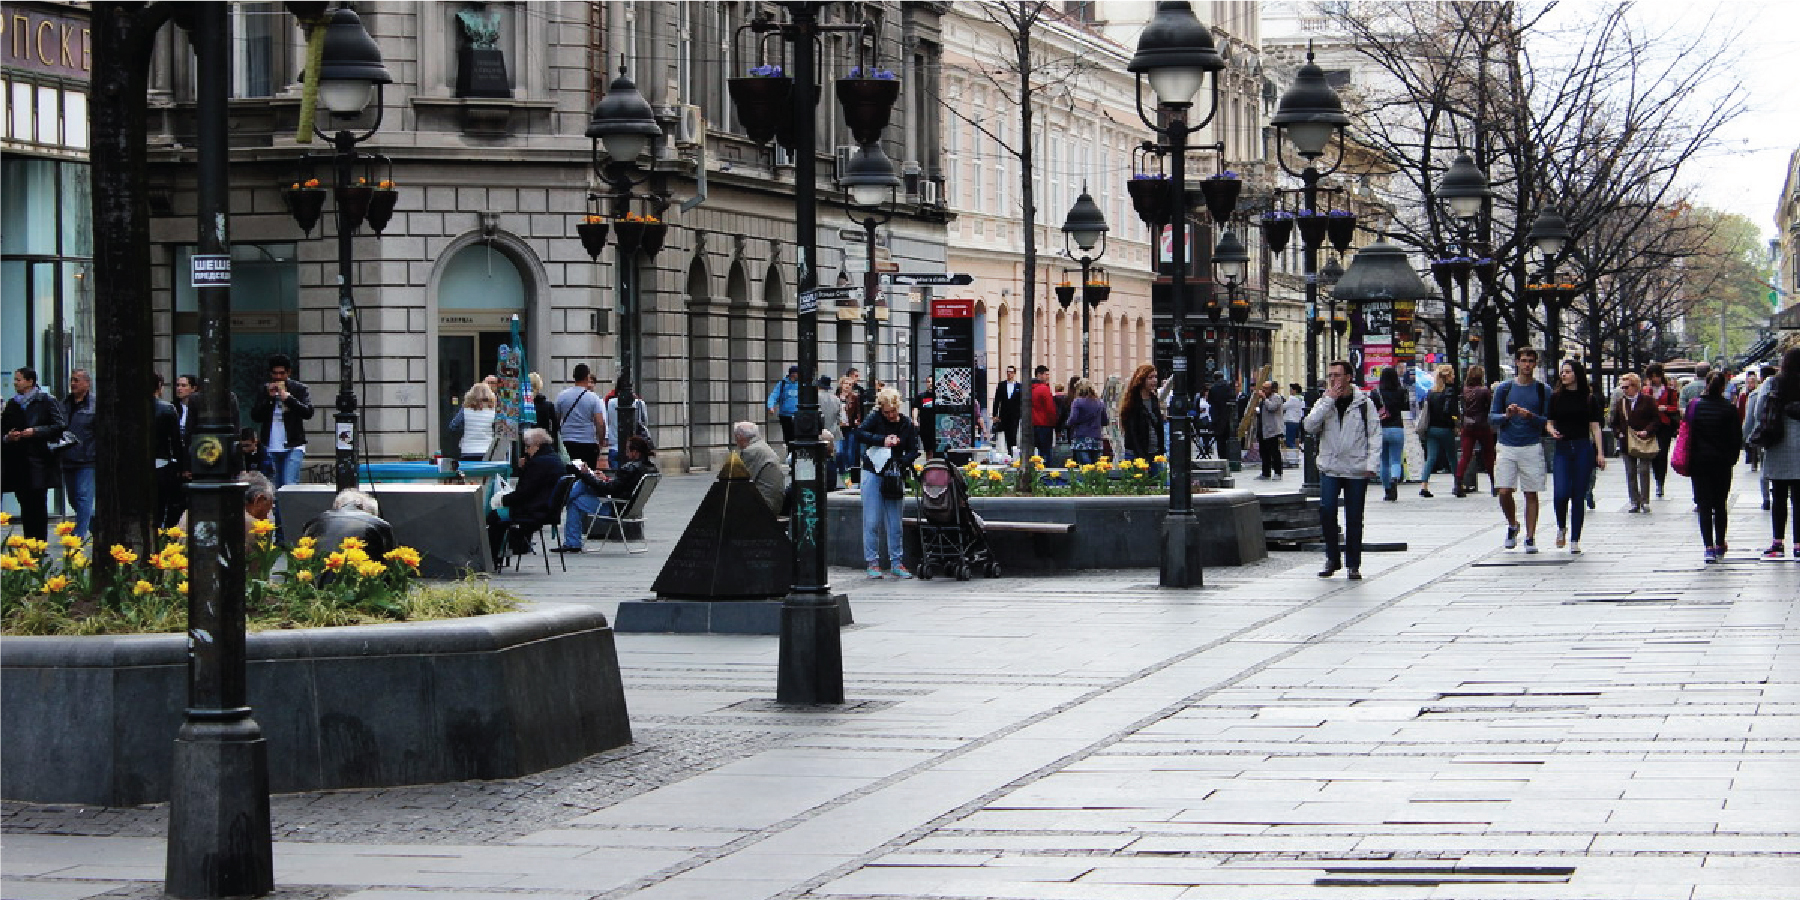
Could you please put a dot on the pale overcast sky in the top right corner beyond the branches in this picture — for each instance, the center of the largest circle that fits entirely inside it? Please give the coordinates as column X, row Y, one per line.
column 1747, row 175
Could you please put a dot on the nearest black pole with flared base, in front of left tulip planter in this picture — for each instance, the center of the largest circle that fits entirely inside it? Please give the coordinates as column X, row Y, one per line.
column 219, row 809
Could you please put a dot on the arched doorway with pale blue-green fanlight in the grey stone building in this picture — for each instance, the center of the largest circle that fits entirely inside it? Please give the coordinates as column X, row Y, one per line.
column 478, row 291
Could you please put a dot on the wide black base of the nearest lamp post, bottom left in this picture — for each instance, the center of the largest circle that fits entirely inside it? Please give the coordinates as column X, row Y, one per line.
column 219, row 816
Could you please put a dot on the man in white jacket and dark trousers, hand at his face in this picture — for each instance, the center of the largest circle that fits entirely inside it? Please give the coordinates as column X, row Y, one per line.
column 1349, row 431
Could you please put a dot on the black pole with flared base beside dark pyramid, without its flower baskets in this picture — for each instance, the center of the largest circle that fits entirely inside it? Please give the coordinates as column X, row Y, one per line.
column 811, row 669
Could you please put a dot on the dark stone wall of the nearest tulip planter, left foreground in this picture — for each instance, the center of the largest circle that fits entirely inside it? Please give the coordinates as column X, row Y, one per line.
column 94, row 719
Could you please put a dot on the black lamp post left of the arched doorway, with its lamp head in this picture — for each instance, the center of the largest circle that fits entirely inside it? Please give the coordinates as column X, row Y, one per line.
column 350, row 78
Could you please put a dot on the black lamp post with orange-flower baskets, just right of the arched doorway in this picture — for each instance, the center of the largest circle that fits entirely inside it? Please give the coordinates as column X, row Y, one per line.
column 622, row 130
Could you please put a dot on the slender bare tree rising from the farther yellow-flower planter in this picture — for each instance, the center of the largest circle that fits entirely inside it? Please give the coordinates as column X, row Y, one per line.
column 1029, row 73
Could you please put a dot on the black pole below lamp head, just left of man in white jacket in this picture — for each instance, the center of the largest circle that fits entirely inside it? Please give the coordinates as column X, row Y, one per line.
column 1178, row 528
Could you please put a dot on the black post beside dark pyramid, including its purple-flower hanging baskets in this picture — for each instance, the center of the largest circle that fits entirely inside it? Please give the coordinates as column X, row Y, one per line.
column 811, row 665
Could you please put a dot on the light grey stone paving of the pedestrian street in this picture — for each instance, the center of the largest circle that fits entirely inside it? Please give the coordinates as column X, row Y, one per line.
column 1468, row 723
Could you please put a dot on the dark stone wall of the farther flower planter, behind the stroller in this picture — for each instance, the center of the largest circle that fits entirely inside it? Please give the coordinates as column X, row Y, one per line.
column 1110, row 532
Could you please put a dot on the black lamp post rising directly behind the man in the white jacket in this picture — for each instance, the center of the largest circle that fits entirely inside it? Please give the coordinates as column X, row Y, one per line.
column 1308, row 118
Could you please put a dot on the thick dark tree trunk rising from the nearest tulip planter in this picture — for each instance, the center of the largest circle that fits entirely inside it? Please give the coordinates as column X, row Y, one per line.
column 123, row 472
